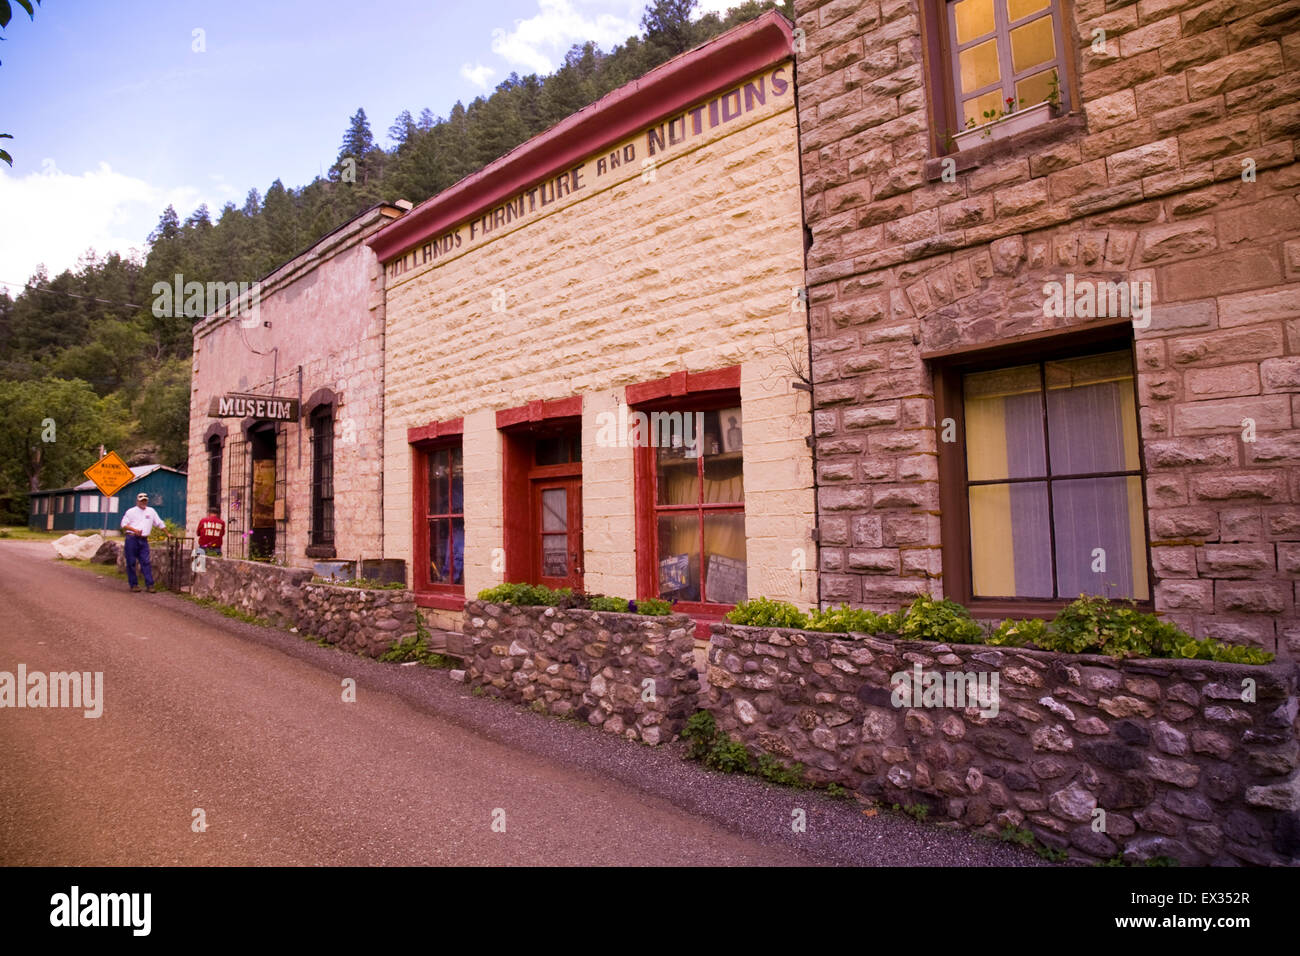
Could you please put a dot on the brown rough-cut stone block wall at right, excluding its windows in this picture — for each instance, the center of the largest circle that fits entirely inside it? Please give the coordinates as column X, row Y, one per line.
column 1143, row 181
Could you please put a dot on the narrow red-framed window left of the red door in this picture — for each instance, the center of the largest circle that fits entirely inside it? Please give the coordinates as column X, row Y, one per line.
column 439, row 514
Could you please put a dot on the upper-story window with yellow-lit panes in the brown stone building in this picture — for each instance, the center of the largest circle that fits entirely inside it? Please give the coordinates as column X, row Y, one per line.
column 1004, row 57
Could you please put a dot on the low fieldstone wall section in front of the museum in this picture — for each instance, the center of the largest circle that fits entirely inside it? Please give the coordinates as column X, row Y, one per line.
column 359, row 620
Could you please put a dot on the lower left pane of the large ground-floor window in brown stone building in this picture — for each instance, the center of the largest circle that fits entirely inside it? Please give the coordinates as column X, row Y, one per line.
column 1011, row 540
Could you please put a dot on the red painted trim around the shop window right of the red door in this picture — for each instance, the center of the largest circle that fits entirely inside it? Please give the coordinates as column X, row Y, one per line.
column 682, row 391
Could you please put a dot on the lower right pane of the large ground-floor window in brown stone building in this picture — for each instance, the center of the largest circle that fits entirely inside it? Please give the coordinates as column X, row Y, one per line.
column 1100, row 538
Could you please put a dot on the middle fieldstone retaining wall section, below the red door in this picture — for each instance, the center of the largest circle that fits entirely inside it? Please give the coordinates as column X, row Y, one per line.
column 593, row 665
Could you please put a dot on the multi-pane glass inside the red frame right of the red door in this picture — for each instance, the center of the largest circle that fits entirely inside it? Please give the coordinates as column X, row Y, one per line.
column 700, row 507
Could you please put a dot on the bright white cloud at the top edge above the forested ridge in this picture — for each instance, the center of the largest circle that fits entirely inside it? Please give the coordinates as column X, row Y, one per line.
column 539, row 44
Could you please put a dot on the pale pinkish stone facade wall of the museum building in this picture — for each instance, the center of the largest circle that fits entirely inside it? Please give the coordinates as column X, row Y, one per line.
column 327, row 315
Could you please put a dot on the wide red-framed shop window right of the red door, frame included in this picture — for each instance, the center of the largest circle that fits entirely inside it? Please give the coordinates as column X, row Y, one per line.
column 691, row 491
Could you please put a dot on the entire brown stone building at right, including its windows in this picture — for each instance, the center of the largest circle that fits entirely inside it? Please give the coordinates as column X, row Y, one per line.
column 1055, row 285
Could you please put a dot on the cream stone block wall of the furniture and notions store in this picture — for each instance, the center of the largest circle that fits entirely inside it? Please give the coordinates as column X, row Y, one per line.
column 692, row 266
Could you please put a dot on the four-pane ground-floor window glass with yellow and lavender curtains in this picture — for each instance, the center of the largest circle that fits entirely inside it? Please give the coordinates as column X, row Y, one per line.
column 1054, row 481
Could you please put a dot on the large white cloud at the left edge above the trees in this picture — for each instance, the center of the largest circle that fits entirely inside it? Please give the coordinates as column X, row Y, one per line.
column 53, row 218
